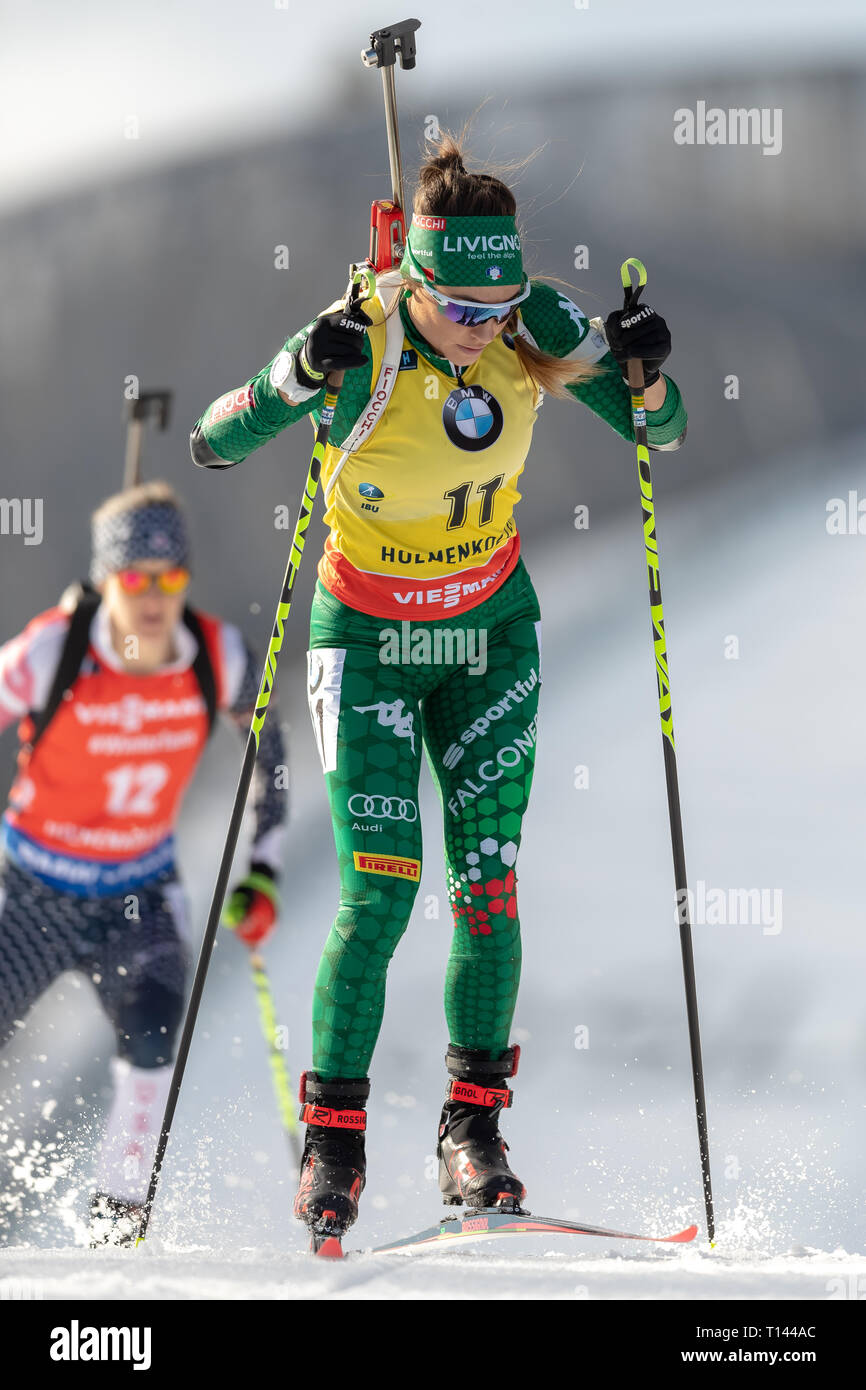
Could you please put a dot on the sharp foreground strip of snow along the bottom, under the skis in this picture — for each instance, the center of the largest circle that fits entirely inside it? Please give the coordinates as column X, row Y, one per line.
column 483, row 1274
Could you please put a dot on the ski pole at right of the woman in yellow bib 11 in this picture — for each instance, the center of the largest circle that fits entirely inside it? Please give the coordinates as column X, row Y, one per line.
column 639, row 415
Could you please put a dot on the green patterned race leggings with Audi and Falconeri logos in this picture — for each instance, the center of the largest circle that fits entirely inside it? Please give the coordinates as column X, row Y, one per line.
column 380, row 692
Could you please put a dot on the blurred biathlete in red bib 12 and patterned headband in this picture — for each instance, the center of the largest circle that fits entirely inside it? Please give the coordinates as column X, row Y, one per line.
column 88, row 879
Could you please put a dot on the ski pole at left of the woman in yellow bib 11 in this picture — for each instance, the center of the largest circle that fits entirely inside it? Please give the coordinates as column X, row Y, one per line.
column 333, row 387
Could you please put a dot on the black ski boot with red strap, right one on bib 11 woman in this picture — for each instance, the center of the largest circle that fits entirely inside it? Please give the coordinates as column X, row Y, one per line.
column 473, row 1168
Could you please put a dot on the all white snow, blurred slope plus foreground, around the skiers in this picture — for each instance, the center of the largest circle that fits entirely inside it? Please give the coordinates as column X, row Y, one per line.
column 772, row 751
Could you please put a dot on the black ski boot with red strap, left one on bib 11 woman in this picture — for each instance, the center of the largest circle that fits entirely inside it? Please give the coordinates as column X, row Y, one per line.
column 333, row 1170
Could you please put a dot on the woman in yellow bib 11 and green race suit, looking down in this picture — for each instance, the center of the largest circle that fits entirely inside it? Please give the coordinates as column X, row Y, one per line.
column 422, row 568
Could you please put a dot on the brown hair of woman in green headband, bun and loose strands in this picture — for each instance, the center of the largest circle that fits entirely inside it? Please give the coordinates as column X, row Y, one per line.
column 447, row 188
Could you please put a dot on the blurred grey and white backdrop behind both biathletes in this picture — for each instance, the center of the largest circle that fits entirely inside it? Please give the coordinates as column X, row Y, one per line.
column 154, row 162
